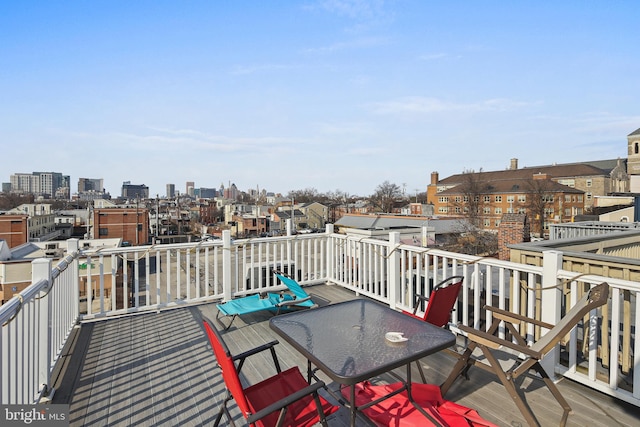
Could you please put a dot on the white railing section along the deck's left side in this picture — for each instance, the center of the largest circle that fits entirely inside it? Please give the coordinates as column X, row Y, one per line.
column 36, row 324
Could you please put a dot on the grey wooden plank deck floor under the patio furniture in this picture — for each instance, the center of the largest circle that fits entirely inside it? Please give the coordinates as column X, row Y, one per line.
column 156, row 369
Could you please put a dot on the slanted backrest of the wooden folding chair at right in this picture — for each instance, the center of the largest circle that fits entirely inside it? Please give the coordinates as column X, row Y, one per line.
column 597, row 296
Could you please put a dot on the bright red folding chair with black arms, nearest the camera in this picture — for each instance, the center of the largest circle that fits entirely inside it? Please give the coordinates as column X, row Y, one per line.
column 285, row 399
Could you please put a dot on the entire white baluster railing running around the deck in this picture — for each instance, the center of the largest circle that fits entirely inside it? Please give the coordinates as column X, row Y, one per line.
column 600, row 353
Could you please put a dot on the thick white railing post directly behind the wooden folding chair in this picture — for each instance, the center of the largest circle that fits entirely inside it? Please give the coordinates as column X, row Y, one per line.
column 551, row 303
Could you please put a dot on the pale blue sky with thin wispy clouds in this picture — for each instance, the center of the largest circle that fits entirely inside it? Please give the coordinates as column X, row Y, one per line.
column 332, row 95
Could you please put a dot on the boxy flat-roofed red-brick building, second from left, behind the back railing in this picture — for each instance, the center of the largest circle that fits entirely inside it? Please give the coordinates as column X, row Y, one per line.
column 129, row 224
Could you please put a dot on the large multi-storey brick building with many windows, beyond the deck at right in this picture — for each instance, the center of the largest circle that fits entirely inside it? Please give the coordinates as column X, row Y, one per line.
column 558, row 193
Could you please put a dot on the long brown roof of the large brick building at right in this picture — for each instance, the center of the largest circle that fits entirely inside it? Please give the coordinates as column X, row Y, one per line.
column 527, row 173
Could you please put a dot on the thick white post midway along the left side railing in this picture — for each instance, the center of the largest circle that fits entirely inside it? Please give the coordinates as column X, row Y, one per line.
column 41, row 270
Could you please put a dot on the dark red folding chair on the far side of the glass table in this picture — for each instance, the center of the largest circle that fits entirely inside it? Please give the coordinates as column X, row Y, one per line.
column 439, row 306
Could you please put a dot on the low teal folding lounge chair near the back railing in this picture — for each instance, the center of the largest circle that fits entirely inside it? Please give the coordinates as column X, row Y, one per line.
column 296, row 298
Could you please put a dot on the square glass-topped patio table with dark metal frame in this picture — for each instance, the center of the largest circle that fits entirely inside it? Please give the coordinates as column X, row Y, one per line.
column 347, row 342
